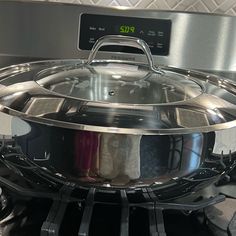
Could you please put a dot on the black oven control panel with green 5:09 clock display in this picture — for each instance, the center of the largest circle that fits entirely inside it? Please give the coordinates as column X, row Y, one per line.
column 155, row 32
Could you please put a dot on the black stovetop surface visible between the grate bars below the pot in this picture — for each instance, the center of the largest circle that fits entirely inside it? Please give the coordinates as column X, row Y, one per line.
column 31, row 218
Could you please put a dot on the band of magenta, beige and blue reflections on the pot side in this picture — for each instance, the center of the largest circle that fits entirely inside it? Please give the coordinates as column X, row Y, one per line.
column 120, row 159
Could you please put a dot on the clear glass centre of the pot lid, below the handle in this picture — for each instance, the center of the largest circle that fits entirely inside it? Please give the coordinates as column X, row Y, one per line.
column 125, row 83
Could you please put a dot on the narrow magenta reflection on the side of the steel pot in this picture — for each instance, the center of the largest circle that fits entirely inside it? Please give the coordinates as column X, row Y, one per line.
column 86, row 154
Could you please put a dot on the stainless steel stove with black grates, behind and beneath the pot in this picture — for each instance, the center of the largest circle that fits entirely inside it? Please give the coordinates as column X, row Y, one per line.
column 32, row 204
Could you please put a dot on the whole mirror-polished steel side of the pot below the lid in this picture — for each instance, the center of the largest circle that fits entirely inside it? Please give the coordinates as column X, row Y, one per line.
column 162, row 162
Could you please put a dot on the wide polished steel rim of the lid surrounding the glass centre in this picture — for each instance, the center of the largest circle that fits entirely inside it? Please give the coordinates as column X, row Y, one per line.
column 213, row 109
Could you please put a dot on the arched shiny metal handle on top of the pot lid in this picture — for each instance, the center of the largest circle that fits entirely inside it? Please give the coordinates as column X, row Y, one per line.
column 123, row 41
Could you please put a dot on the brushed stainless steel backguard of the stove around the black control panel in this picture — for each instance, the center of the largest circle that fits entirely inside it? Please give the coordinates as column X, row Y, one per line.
column 191, row 44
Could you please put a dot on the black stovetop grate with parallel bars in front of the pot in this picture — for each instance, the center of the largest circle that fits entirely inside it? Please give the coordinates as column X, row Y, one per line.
column 47, row 217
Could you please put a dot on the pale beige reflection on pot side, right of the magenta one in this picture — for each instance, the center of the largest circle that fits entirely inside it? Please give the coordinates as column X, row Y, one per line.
column 120, row 157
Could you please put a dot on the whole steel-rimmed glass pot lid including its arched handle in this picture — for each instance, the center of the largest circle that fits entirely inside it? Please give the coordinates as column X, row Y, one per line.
column 118, row 96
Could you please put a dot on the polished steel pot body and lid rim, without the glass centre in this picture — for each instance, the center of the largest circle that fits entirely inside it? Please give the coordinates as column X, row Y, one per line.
column 107, row 145
